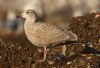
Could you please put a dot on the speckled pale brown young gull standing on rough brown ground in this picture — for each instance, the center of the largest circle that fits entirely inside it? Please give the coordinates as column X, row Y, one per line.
column 42, row 34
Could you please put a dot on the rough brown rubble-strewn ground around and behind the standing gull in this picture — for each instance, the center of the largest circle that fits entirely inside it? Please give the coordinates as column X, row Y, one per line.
column 18, row 52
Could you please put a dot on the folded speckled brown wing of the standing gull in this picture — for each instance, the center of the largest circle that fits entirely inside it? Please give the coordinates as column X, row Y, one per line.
column 49, row 34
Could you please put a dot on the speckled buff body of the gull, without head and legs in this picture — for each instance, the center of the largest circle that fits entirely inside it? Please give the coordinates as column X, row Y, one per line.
column 43, row 34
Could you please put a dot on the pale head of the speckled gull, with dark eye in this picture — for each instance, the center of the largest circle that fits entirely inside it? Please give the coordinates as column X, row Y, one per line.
column 30, row 13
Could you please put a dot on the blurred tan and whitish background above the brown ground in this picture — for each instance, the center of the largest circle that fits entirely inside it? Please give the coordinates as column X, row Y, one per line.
column 50, row 11
